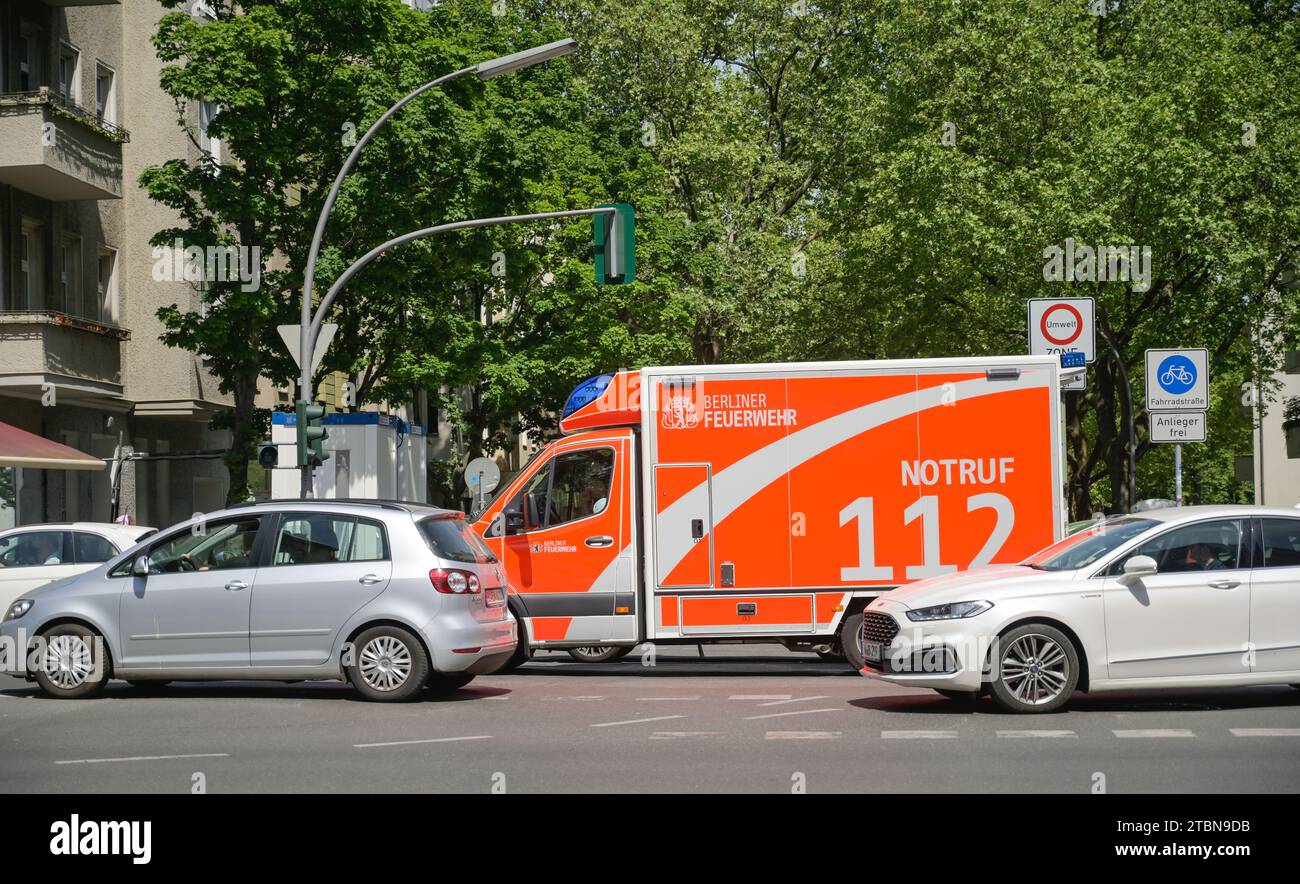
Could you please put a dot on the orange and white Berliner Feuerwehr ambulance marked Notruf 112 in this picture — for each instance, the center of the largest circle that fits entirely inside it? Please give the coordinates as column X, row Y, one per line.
column 772, row 504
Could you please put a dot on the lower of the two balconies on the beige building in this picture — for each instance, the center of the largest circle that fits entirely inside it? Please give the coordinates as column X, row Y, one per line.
column 76, row 358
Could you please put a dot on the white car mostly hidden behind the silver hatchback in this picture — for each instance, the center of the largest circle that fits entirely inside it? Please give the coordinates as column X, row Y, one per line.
column 34, row 556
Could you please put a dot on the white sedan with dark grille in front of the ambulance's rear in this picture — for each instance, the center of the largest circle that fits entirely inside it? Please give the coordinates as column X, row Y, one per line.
column 1193, row 597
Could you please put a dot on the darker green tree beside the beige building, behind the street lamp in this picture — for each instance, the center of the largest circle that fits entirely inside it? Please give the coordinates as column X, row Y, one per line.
column 294, row 81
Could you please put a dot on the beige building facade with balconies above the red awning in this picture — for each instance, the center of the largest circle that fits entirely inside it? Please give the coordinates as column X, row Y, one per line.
column 81, row 362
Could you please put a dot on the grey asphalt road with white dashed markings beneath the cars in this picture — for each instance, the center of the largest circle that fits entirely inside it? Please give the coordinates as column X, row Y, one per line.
column 743, row 720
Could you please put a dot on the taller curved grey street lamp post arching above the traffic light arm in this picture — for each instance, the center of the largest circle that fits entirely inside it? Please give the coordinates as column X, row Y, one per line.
column 310, row 327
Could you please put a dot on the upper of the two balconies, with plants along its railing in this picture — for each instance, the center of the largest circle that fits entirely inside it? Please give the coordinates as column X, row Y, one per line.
column 57, row 150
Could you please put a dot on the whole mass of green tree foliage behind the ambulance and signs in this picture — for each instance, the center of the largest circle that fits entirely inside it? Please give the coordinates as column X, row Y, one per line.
column 834, row 180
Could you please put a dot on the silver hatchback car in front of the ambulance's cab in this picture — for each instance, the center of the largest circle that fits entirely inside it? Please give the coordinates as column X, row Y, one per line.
column 392, row 597
